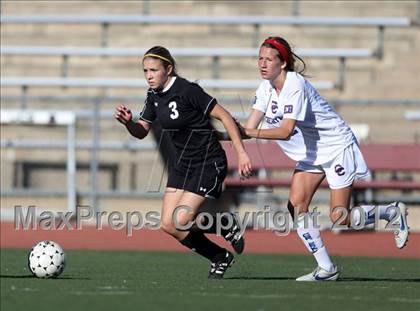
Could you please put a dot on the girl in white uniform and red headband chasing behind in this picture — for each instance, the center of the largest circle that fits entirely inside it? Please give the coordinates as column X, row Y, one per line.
column 310, row 132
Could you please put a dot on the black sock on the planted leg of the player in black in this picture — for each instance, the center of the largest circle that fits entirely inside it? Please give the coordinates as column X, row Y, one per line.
column 199, row 243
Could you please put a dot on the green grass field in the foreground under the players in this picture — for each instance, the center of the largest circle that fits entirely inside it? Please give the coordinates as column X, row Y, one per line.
column 111, row 280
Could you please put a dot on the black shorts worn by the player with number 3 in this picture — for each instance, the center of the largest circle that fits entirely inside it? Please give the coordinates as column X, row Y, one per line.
column 205, row 179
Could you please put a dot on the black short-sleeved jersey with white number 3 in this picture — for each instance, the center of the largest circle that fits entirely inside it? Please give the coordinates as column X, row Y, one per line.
column 182, row 109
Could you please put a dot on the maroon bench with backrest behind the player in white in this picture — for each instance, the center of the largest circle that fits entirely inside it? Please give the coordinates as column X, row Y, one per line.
column 387, row 163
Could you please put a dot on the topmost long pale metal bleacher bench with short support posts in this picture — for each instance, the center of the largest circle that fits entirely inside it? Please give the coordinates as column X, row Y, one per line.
column 256, row 21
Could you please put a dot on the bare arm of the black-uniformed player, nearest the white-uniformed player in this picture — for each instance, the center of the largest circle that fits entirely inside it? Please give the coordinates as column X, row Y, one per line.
column 244, row 164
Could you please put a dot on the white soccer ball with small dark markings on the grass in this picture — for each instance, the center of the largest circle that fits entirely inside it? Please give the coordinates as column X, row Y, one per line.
column 46, row 260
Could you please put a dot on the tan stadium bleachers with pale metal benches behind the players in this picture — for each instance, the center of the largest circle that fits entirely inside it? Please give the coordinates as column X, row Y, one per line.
column 81, row 61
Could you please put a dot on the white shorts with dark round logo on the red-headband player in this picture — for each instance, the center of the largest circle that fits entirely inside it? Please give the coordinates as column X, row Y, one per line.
column 343, row 170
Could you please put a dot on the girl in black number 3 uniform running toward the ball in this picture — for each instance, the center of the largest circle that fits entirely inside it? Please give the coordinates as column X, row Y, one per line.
column 184, row 110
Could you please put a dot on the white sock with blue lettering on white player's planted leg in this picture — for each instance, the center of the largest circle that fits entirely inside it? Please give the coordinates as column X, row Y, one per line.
column 311, row 237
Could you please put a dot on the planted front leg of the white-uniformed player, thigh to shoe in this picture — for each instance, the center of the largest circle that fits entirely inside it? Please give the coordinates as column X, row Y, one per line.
column 304, row 185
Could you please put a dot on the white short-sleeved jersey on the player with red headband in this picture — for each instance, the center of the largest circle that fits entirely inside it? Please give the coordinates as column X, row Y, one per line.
column 320, row 133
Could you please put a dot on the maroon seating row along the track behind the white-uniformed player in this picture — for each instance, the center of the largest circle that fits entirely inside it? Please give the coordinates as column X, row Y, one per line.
column 268, row 158
